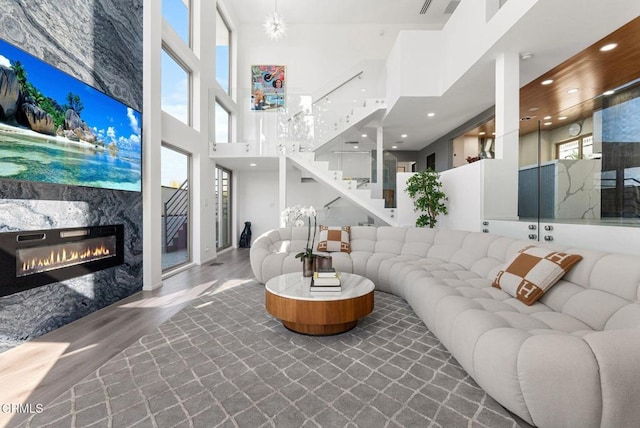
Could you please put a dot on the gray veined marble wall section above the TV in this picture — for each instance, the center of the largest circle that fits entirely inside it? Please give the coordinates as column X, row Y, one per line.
column 96, row 41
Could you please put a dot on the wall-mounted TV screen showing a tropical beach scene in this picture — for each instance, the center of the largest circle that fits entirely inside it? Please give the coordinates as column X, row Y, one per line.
column 57, row 129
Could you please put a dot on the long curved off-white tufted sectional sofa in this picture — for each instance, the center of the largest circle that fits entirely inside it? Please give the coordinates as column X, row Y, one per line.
column 572, row 359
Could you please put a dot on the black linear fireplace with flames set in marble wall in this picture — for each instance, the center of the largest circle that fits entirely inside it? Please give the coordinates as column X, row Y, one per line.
column 31, row 259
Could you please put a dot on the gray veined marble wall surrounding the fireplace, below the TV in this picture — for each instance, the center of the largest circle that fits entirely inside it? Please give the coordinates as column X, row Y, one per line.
column 34, row 312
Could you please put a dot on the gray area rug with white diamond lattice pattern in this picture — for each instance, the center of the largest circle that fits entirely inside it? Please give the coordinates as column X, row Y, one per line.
column 223, row 361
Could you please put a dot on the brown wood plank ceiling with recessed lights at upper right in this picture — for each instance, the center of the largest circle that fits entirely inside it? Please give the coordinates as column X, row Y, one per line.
column 591, row 71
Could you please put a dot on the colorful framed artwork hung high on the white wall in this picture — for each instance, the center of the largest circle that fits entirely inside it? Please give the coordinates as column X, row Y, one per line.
column 268, row 87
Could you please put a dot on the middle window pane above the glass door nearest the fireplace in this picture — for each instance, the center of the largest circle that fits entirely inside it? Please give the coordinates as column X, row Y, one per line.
column 176, row 84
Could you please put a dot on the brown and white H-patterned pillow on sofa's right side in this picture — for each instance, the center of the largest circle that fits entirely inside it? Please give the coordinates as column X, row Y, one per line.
column 533, row 271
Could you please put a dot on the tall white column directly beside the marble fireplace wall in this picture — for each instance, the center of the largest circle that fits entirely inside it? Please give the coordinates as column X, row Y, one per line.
column 152, row 140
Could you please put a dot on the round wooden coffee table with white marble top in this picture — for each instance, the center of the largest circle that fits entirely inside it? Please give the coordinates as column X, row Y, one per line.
column 288, row 299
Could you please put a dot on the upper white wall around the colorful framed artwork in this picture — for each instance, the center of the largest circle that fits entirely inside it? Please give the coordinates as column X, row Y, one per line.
column 315, row 56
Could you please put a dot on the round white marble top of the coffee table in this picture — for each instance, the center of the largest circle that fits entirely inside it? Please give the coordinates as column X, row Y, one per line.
column 295, row 286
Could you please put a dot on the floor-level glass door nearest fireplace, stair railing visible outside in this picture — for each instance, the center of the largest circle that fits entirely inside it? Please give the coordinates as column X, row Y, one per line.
column 175, row 212
